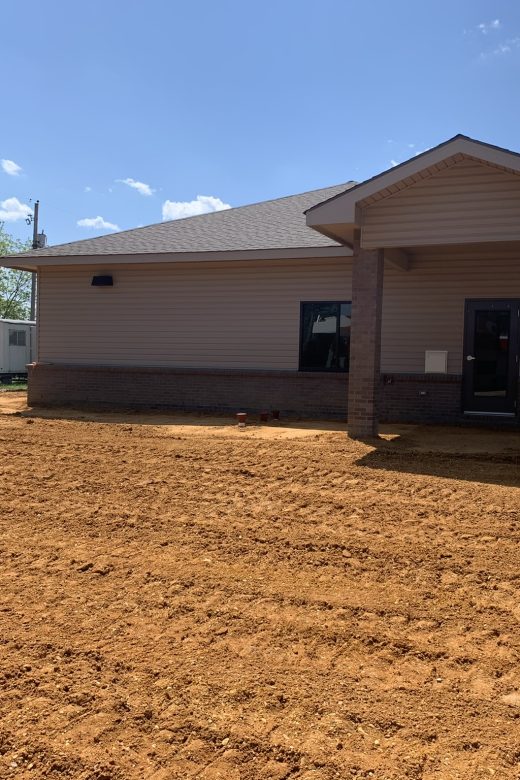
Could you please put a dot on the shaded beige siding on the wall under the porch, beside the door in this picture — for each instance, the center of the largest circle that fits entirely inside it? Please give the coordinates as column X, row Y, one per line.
column 423, row 308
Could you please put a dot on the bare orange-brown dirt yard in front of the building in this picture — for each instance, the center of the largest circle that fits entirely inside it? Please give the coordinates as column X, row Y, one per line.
column 179, row 599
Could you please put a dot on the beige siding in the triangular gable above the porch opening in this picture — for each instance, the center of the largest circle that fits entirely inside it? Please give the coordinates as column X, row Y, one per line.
column 468, row 202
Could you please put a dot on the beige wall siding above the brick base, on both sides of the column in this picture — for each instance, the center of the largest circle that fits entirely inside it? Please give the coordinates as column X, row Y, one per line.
column 247, row 315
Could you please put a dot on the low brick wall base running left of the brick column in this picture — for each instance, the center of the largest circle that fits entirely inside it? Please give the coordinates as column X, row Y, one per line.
column 305, row 394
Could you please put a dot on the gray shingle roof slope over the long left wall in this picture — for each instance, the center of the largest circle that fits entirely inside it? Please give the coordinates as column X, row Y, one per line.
column 271, row 224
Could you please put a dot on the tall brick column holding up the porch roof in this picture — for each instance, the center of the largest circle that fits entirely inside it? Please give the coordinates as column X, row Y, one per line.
column 365, row 342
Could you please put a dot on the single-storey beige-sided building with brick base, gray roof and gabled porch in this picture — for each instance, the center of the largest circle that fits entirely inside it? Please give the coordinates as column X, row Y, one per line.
column 394, row 299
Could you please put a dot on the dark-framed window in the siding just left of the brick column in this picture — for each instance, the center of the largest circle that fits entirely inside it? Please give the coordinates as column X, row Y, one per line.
column 325, row 336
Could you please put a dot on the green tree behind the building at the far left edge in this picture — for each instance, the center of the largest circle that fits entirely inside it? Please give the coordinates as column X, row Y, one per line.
column 15, row 286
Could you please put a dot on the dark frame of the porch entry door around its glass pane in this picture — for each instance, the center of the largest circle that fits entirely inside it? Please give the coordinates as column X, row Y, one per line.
column 491, row 406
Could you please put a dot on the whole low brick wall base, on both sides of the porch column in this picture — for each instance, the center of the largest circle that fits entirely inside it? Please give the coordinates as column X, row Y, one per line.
column 410, row 398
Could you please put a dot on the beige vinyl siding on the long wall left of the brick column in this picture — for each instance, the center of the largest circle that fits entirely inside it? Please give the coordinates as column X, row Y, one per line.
column 211, row 315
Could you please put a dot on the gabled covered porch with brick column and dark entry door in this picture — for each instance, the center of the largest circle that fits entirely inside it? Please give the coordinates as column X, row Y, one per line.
column 435, row 287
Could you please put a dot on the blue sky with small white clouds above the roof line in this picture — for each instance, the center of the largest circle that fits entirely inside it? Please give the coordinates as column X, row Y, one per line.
column 131, row 111
